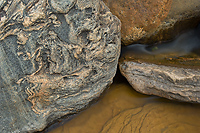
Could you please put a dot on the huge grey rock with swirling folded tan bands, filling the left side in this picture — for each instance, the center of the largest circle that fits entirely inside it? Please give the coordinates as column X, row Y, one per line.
column 55, row 58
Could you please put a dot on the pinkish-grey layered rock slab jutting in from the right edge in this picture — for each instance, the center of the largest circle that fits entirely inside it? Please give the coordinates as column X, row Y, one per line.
column 165, row 81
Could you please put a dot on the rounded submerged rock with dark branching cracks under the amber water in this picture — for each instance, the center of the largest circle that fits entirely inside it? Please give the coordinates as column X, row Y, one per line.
column 153, row 118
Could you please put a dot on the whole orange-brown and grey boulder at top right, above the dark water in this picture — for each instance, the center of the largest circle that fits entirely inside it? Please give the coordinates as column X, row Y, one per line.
column 147, row 21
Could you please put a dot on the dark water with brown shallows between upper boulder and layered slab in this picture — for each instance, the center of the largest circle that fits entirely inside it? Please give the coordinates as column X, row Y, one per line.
column 183, row 52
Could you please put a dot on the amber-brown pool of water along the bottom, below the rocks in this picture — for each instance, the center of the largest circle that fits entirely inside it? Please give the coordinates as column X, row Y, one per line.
column 121, row 107
